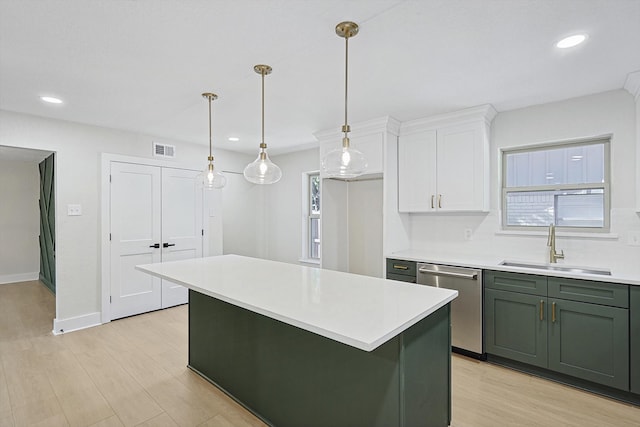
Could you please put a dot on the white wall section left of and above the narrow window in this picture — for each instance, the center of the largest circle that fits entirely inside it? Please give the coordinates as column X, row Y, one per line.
column 283, row 205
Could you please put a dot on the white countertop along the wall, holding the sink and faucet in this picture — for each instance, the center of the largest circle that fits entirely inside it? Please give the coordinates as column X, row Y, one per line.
column 629, row 275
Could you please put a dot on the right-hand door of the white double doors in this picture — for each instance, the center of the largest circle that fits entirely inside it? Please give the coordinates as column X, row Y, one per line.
column 181, row 226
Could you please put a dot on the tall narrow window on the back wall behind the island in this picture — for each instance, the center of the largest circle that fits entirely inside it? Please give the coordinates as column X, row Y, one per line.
column 311, row 217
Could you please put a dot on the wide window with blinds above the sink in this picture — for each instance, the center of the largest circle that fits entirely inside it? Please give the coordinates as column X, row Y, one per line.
column 566, row 185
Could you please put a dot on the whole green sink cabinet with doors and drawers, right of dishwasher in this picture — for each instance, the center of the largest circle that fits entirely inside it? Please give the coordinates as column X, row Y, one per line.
column 585, row 329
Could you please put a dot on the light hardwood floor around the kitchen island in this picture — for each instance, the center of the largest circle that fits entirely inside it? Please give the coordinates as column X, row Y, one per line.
column 132, row 372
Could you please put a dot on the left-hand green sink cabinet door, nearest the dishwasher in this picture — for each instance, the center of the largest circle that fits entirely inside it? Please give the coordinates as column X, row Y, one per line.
column 516, row 327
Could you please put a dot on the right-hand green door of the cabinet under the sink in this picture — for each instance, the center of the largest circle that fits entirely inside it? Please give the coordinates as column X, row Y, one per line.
column 589, row 341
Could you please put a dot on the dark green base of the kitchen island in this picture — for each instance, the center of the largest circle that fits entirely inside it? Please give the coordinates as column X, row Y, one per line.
column 292, row 377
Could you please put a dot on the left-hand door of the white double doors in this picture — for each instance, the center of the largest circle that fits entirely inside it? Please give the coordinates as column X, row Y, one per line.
column 135, row 229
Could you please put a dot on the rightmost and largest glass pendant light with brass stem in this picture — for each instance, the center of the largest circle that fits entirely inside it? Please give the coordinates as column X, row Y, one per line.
column 346, row 161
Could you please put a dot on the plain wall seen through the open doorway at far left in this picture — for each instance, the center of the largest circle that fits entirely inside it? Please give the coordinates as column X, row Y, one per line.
column 19, row 221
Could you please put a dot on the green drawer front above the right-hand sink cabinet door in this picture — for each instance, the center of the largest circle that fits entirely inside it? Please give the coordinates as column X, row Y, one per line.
column 612, row 294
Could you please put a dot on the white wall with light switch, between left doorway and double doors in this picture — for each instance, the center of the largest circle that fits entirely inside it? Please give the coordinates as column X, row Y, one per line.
column 78, row 148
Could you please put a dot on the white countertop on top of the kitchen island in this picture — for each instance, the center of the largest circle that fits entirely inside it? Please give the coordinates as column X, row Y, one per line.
column 360, row 311
